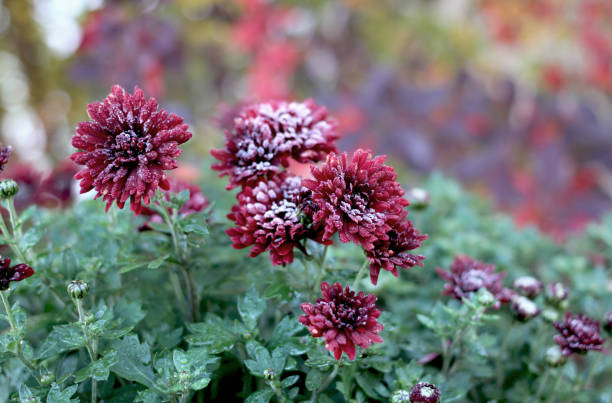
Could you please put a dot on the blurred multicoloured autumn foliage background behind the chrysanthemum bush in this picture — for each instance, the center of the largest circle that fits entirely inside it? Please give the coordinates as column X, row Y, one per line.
column 511, row 97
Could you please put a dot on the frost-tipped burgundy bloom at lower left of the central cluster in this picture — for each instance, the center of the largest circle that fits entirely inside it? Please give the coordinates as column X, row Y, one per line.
column 275, row 215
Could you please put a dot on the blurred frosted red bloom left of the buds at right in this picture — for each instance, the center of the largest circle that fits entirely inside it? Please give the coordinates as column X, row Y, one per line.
column 467, row 275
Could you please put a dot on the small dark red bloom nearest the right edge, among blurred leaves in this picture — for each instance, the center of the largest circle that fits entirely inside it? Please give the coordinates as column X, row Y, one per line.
column 578, row 334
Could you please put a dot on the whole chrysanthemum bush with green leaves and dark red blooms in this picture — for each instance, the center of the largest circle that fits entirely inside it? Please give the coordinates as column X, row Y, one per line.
column 153, row 305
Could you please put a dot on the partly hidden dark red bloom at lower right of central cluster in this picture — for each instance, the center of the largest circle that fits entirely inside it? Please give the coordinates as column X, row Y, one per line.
column 394, row 252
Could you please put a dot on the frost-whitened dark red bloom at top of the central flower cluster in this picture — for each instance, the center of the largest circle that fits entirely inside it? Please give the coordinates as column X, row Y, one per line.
column 266, row 135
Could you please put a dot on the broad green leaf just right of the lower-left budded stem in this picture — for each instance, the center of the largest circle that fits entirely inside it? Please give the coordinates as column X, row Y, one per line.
column 133, row 361
